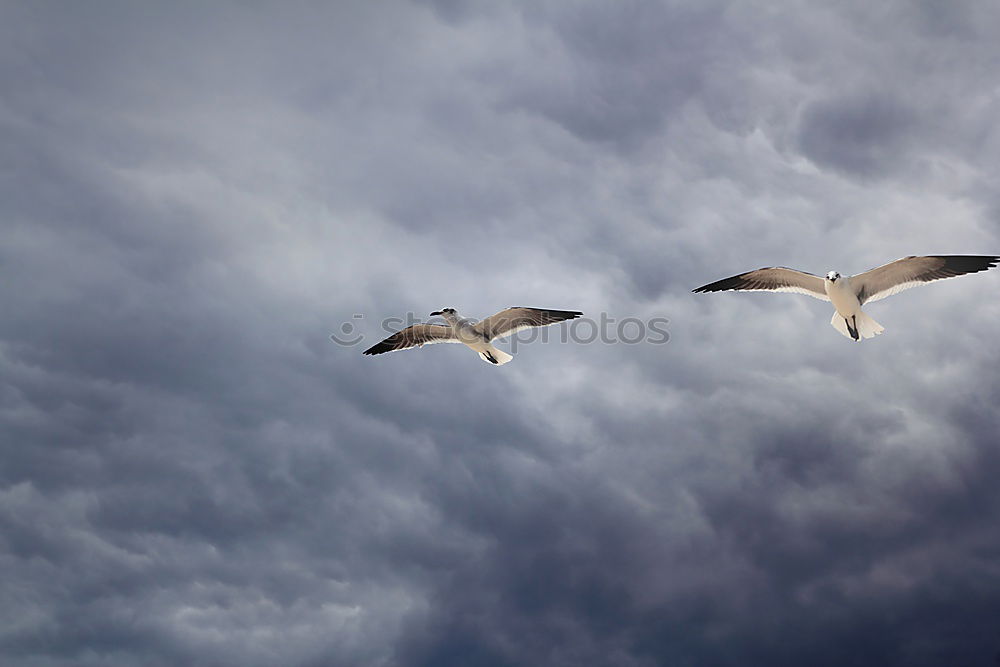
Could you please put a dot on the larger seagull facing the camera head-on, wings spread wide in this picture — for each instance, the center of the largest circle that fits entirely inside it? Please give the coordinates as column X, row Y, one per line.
column 849, row 293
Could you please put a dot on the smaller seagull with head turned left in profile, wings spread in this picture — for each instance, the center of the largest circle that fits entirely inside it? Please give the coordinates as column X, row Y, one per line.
column 477, row 336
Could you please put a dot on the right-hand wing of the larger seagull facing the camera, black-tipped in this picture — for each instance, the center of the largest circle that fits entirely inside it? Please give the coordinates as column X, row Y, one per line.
column 908, row 272
